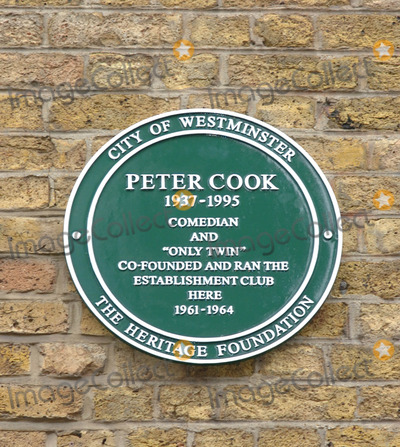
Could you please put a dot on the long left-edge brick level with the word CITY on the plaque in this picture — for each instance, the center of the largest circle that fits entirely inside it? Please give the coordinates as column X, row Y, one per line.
column 41, row 153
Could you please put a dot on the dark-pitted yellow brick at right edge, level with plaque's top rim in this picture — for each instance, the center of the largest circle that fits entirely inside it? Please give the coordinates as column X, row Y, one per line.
column 364, row 113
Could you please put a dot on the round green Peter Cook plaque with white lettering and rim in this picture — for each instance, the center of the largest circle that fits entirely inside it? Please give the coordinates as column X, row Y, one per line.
column 203, row 236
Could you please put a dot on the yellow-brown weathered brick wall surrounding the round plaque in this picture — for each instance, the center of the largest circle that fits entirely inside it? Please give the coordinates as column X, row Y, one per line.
column 99, row 66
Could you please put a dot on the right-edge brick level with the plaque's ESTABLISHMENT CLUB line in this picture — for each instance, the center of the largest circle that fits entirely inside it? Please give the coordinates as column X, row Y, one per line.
column 362, row 278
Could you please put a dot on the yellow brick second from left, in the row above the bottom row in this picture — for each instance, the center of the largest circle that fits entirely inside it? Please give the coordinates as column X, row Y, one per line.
column 123, row 404
